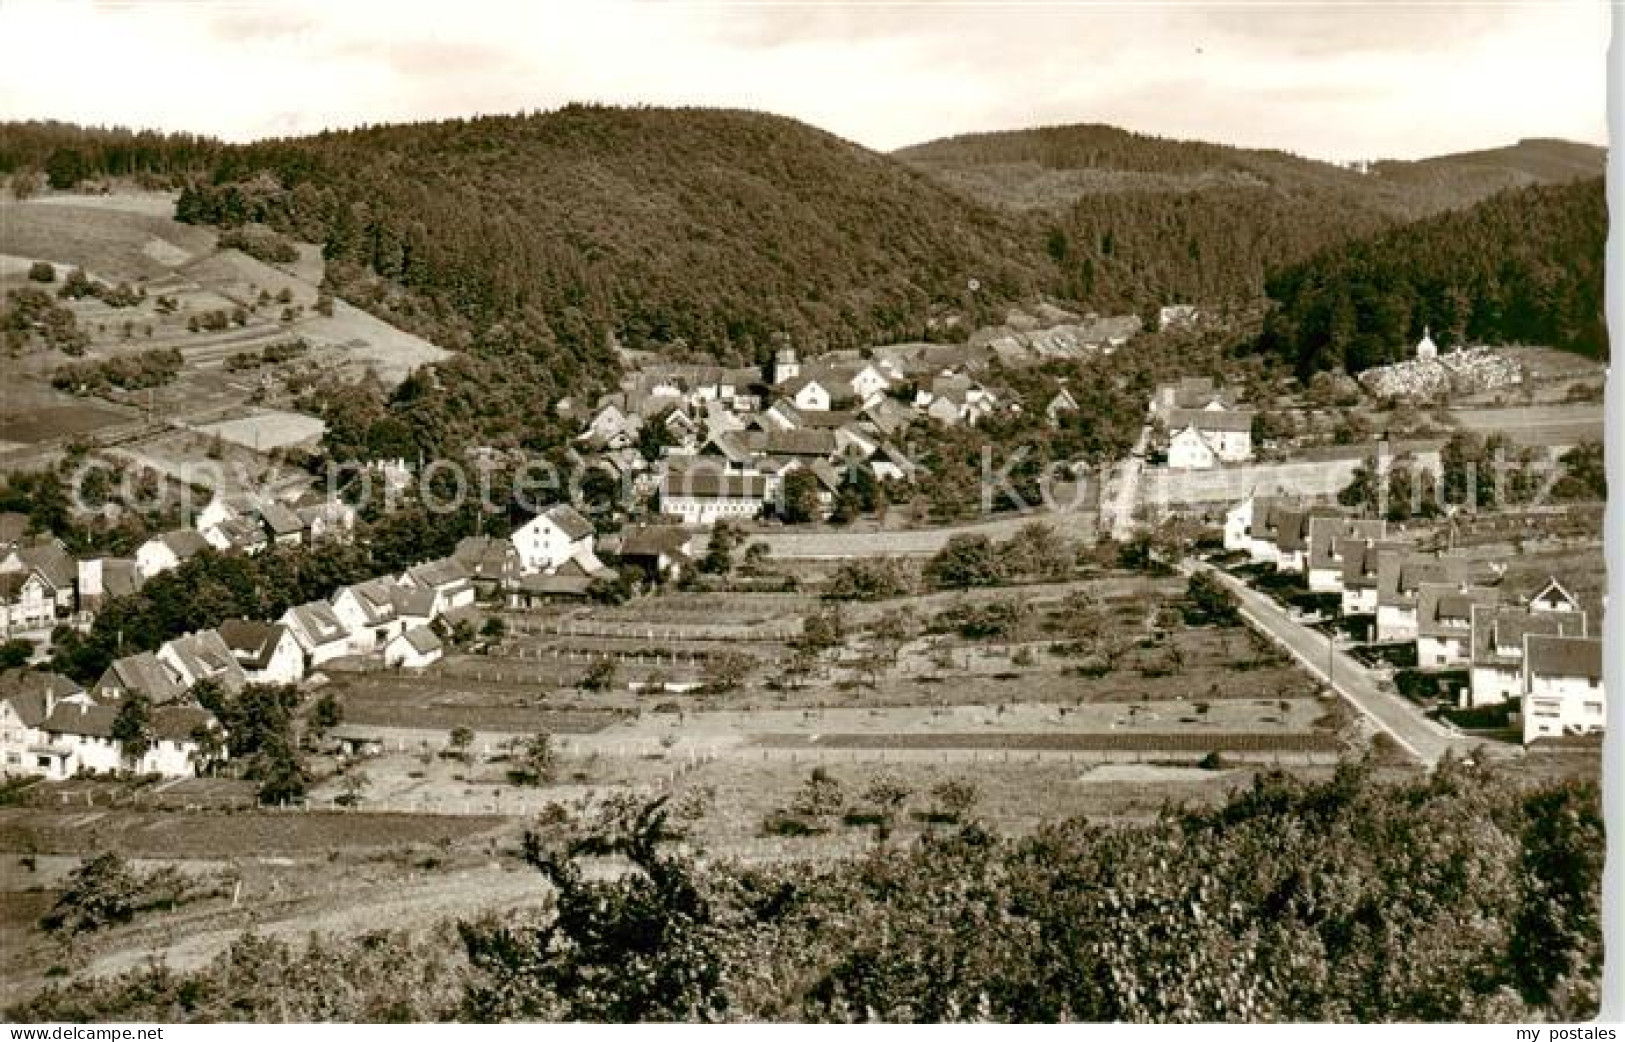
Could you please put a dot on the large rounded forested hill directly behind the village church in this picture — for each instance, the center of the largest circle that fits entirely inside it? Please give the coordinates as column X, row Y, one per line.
column 662, row 227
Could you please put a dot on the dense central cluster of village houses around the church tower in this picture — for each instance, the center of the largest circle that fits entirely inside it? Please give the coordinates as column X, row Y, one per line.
column 730, row 438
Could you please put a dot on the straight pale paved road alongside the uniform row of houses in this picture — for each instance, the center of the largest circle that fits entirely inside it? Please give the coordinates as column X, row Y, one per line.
column 1405, row 723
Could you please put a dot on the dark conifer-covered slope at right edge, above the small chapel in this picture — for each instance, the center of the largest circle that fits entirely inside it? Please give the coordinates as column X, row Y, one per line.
column 1525, row 266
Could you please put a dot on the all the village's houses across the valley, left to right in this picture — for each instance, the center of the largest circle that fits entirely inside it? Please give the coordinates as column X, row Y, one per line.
column 730, row 449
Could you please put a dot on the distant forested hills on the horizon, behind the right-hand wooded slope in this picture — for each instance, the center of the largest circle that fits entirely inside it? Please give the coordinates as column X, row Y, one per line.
column 1133, row 219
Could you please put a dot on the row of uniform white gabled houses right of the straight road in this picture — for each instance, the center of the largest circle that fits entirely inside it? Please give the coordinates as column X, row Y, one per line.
column 1541, row 654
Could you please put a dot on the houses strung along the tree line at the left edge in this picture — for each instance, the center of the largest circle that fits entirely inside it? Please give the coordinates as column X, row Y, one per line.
column 53, row 727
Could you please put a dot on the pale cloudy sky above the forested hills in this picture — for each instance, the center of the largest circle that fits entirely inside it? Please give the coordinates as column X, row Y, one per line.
column 1327, row 79
